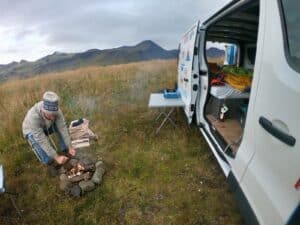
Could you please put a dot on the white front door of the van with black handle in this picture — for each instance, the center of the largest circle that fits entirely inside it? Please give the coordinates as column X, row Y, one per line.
column 272, row 180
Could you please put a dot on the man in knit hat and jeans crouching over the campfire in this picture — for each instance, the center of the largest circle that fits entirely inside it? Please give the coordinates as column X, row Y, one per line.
column 43, row 119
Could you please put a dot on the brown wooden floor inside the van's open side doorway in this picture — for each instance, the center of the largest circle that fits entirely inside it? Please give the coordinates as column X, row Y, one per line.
column 230, row 130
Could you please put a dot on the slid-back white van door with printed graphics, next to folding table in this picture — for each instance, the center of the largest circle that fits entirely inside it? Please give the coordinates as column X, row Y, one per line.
column 188, row 72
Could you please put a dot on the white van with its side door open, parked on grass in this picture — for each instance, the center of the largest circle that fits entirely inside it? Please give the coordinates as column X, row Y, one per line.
column 253, row 130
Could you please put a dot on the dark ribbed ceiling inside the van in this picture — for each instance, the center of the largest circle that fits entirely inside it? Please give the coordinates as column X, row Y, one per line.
column 235, row 22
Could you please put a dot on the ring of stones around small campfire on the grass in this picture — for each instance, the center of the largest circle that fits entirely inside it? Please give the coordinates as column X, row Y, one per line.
column 80, row 176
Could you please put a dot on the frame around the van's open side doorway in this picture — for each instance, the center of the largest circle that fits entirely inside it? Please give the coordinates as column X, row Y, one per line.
column 241, row 161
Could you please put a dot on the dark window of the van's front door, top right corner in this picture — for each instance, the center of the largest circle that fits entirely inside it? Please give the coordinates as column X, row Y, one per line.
column 291, row 10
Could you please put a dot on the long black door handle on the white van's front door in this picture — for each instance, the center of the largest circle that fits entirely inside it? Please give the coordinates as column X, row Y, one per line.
column 276, row 132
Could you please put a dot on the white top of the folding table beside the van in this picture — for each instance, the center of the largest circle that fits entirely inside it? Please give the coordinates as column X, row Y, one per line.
column 157, row 100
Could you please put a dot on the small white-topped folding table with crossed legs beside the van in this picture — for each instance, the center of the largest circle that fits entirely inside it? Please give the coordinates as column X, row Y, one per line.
column 157, row 100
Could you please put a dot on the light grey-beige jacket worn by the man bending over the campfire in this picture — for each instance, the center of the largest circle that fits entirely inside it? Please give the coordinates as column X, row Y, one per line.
column 37, row 125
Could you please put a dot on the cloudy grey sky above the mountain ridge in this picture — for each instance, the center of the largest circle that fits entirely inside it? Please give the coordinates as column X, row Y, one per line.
column 31, row 29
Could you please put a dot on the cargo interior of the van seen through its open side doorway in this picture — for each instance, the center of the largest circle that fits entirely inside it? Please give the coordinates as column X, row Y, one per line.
column 230, row 78
